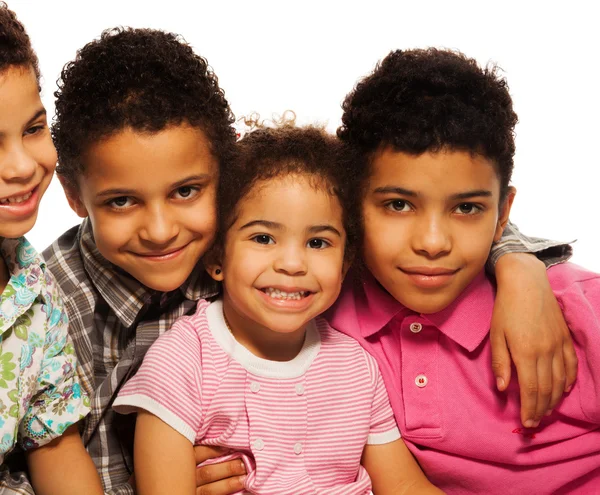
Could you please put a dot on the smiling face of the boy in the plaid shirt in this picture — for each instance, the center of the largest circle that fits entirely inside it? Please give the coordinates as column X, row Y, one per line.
column 151, row 202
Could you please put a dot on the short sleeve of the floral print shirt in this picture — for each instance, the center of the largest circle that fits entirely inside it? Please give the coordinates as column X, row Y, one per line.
column 58, row 400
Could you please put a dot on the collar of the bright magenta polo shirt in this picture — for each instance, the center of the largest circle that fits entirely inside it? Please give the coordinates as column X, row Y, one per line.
column 466, row 321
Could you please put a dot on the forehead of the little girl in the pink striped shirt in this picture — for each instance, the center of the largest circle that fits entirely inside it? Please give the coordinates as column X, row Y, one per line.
column 293, row 201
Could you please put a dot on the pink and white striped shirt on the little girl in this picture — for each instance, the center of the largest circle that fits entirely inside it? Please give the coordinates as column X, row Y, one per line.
column 299, row 426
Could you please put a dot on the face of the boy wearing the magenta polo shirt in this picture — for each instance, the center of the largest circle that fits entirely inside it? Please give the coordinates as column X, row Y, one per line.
column 429, row 224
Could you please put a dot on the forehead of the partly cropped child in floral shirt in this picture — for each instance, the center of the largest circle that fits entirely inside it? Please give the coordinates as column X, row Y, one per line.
column 19, row 96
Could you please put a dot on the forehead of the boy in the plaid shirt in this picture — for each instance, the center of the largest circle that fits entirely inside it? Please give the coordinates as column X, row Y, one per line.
column 141, row 157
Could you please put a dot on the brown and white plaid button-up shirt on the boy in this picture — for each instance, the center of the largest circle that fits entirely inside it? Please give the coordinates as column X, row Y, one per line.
column 113, row 321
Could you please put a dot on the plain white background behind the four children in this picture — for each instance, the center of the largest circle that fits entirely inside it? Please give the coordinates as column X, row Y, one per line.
column 306, row 55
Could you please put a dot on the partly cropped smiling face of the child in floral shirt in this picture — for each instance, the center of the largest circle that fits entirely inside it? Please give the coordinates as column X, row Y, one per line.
column 27, row 155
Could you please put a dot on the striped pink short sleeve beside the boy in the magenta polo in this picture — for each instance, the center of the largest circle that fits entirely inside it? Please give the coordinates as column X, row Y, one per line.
column 383, row 428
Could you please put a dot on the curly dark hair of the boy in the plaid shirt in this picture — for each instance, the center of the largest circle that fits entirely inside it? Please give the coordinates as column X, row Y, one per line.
column 144, row 79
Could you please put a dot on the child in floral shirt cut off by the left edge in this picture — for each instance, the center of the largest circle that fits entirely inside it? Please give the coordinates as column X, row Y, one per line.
column 41, row 399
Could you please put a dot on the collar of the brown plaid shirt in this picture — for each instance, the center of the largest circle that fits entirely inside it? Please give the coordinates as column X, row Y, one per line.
column 125, row 295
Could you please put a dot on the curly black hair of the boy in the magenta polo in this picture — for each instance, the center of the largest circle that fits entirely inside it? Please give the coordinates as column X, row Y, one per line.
column 429, row 99
